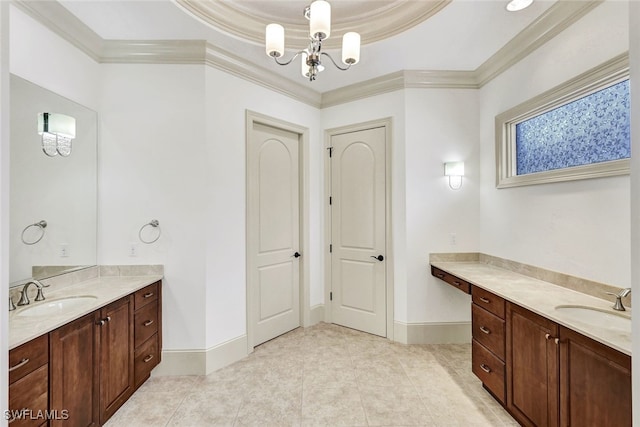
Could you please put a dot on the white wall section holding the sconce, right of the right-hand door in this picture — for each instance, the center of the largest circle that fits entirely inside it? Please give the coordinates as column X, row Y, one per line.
column 441, row 126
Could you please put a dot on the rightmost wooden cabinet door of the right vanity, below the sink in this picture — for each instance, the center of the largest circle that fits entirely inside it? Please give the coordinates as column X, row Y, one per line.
column 595, row 383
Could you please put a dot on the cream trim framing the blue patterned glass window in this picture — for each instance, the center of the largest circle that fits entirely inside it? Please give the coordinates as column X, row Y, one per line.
column 600, row 77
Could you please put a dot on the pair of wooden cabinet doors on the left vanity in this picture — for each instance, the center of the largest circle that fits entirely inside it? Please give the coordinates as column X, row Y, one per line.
column 92, row 364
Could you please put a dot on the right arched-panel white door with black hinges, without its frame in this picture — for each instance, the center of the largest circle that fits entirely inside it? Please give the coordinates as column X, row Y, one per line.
column 358, row 234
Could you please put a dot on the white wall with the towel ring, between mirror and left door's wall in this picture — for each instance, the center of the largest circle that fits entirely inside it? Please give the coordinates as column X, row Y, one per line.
column 151, row 166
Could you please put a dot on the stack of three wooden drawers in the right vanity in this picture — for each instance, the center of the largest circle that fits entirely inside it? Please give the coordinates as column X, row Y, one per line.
column 488, row 344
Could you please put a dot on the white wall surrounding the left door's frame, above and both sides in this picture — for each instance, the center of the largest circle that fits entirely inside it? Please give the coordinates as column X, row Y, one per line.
column 224, row 196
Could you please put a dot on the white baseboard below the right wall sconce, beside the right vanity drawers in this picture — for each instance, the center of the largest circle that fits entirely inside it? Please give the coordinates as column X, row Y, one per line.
column 432, row 333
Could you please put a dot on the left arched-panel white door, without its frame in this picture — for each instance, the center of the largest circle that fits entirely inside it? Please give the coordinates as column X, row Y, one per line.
column 274, row 228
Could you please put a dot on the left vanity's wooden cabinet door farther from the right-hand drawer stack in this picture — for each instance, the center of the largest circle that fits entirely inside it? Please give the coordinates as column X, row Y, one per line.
column 74, row 374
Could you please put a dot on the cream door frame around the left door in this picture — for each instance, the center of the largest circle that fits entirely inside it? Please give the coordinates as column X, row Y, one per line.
column 251, row 118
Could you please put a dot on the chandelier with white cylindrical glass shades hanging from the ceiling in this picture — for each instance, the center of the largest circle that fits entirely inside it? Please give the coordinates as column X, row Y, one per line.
column 319, row 16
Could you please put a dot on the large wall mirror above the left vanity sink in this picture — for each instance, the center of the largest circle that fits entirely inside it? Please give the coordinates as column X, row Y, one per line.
column 59, row 191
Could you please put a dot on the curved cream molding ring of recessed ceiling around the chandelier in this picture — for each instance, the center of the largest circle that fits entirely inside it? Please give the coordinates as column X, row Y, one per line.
column 374, row 26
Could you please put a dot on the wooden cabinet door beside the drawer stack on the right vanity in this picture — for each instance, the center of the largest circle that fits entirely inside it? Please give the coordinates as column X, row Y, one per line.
column 532, row 367
